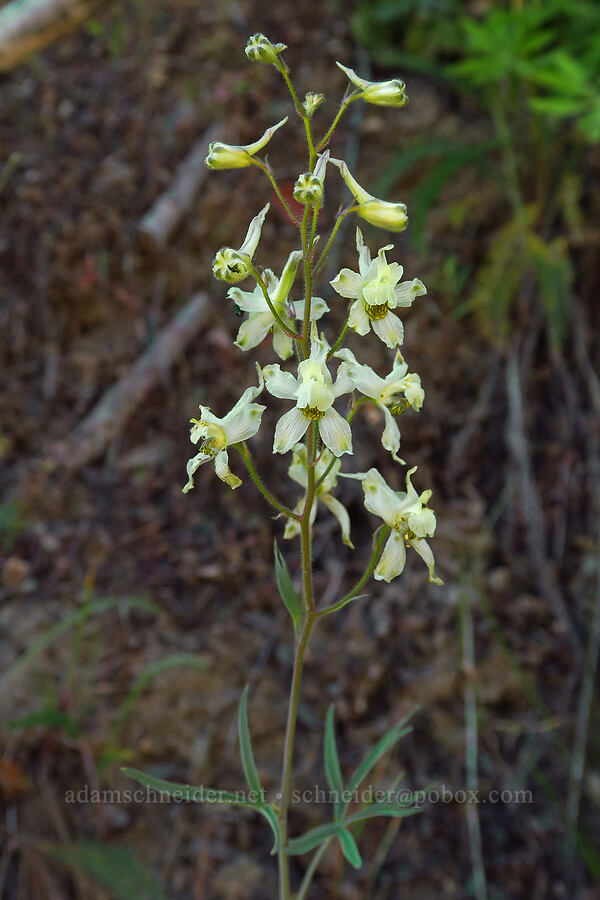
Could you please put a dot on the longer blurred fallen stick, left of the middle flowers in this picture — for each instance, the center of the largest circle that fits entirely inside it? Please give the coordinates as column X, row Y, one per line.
column 92, row 436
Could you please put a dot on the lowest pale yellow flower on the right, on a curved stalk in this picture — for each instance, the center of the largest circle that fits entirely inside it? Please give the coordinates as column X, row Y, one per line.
column 406, row 513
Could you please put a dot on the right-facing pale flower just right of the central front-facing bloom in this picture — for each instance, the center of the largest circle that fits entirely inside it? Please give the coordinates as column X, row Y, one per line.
column 393, row 394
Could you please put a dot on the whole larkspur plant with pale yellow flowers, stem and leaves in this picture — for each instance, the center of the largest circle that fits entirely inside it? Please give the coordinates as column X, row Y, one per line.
column 317, row 436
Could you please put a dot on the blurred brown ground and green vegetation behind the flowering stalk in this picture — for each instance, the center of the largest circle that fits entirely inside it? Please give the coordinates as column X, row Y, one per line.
column 130, row 616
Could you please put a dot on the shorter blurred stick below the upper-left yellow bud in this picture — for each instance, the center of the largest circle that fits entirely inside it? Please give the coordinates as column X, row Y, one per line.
column 162, row 219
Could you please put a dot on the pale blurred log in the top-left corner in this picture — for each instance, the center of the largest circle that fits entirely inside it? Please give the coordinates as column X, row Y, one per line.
column 27, row 26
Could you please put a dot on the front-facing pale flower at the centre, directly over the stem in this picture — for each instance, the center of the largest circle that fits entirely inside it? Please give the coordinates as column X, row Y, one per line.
column 314, row 392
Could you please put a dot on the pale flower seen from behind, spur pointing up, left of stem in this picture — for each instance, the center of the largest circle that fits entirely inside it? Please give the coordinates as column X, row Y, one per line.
column 261, row 320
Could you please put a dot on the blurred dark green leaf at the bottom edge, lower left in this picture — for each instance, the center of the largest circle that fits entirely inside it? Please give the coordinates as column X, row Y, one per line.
column 116, row 868
